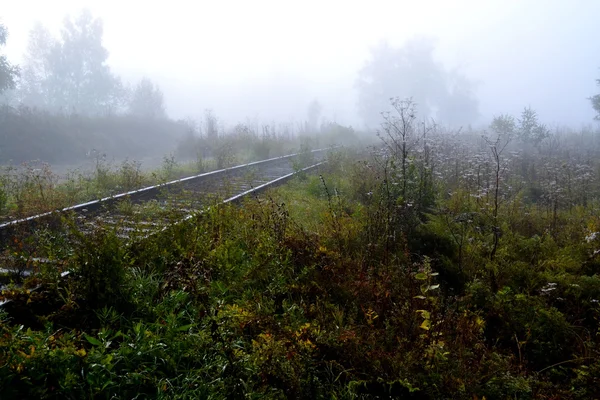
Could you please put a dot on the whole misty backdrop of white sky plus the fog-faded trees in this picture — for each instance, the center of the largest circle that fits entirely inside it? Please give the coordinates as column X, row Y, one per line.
column 305, row 63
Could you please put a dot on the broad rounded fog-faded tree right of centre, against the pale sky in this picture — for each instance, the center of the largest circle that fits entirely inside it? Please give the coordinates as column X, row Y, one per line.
column 412, row 72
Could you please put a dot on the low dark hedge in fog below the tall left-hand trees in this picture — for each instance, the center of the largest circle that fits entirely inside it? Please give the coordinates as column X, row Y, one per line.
column 30, row 134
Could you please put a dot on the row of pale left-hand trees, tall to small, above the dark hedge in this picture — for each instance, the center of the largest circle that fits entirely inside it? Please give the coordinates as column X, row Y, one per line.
column 69, row 74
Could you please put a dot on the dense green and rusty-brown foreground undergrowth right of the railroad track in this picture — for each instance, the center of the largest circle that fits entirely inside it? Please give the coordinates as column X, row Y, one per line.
column 328, row 287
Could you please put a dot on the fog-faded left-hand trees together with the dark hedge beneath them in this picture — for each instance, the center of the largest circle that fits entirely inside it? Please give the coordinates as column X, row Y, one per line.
column 64, row 104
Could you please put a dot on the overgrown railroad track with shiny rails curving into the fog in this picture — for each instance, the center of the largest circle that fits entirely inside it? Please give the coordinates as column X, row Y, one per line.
column 142, row 212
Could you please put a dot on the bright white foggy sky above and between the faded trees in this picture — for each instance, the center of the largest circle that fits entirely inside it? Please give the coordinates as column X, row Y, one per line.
column 269, row 59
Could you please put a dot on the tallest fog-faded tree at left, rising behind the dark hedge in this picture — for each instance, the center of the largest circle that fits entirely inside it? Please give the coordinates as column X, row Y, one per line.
column 70, row 74
